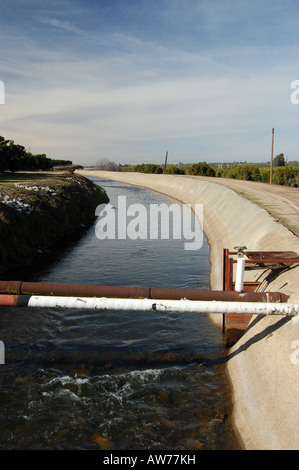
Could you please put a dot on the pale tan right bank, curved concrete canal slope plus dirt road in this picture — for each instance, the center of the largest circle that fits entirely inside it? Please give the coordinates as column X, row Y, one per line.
column 263, row 365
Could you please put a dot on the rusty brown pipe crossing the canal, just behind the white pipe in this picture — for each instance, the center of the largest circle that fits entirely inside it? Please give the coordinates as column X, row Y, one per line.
column 36, row 288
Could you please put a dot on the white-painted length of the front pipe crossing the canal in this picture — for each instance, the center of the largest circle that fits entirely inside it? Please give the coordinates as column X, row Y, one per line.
column 183, row 305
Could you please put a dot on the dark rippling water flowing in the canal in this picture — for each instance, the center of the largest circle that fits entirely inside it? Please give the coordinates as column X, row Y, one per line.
column 115, row 380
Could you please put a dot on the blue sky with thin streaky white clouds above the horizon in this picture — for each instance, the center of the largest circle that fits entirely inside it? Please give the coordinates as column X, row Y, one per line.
column 129, row 80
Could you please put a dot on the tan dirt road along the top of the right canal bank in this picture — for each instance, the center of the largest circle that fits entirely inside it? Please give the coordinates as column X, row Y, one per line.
column 282, row 202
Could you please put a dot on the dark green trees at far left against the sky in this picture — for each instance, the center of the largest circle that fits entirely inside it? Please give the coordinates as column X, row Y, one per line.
column 14, row 157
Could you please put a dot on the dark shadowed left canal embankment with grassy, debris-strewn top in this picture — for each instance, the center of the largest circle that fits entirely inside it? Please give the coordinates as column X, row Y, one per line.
column 38, row 210
